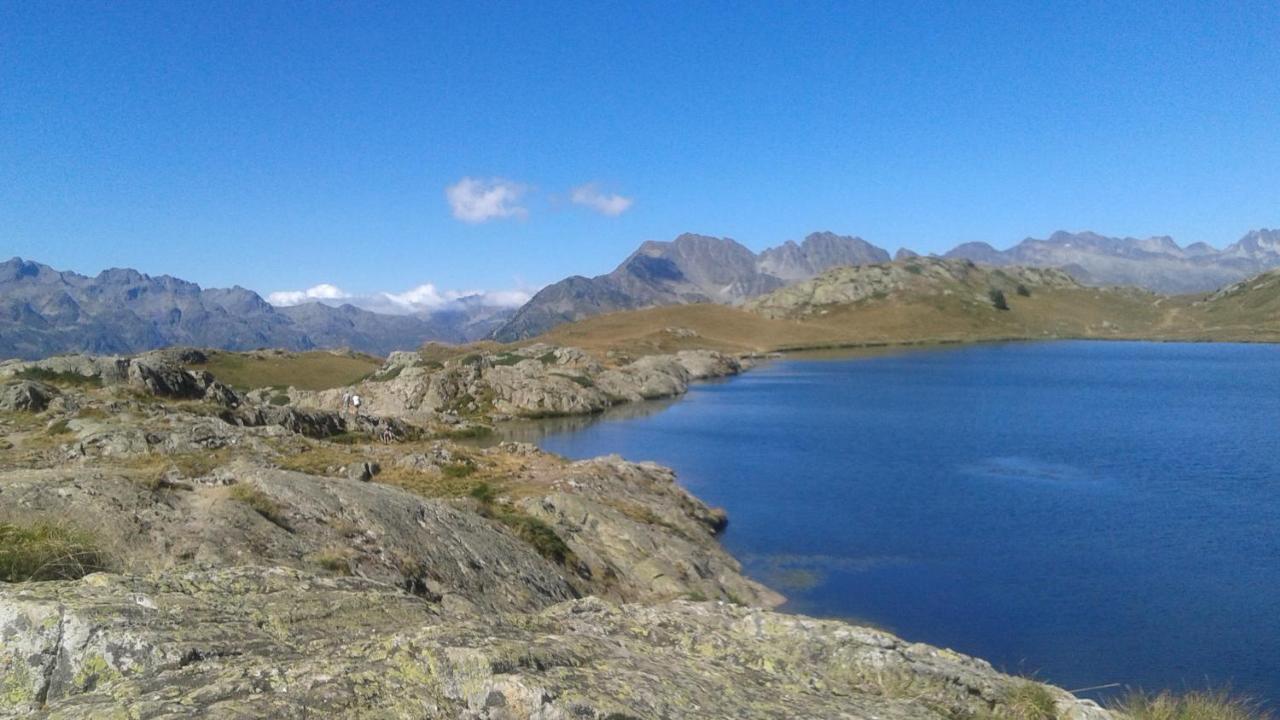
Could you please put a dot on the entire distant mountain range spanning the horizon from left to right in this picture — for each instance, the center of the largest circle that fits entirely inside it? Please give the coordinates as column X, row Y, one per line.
column 47, row 312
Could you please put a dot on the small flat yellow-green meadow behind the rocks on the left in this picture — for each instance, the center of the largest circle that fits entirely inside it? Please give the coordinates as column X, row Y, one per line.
column 305, row 371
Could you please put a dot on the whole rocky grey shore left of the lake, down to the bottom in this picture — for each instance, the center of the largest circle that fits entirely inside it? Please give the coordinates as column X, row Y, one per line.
column 234, row 554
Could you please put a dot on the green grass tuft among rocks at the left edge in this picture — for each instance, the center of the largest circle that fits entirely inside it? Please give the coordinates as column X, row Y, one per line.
column 48, row 552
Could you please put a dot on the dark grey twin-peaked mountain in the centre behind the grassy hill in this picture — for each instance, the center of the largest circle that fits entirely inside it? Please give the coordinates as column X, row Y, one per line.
column 693, row 268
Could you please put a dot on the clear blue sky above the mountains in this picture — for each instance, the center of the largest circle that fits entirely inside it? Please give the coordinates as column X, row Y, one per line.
column 282, row 145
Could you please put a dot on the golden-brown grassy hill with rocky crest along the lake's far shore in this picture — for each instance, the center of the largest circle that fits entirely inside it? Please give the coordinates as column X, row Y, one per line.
column 925, row 309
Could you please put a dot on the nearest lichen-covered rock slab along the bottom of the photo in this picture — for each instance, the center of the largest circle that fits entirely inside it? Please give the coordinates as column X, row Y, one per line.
column 269, row 642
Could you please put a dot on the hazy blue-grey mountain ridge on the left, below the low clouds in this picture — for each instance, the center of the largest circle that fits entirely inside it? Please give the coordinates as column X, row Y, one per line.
column 45, row 312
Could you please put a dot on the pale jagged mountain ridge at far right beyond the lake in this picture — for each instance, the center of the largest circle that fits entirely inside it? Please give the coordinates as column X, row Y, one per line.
column 1154, row 263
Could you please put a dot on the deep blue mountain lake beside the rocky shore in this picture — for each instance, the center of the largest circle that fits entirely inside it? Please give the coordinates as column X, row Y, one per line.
column 1087, row 513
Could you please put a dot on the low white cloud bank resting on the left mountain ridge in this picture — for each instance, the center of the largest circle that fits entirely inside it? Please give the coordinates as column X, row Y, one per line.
column 423, row 299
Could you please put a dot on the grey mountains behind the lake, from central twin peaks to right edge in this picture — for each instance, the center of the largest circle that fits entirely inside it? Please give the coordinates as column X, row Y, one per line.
column 697, row 268
